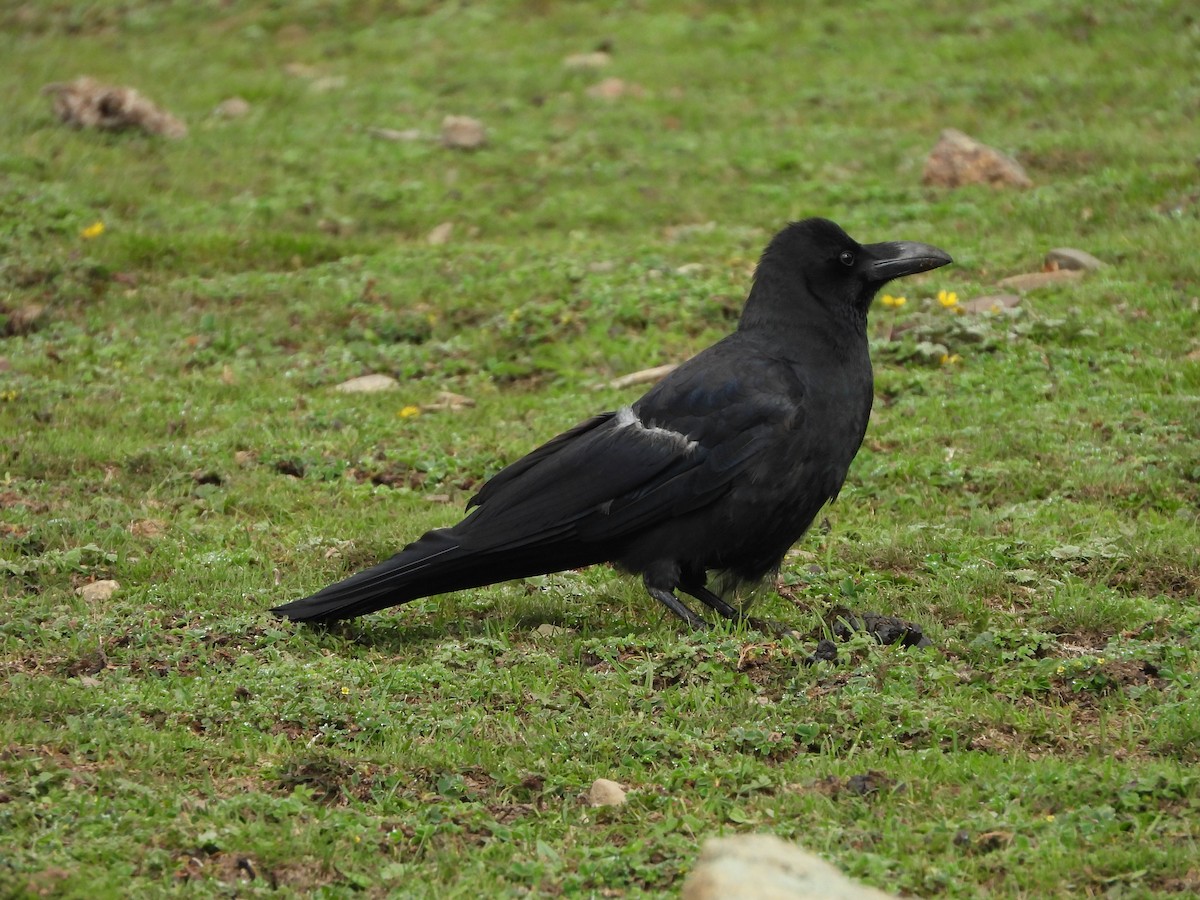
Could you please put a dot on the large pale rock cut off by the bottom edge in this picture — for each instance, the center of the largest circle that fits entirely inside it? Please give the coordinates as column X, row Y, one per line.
column 761, row 867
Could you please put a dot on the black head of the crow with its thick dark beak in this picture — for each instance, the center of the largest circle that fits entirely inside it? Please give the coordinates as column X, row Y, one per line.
column 815, row 266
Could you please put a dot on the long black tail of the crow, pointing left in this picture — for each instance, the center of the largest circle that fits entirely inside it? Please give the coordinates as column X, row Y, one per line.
column 435, row 565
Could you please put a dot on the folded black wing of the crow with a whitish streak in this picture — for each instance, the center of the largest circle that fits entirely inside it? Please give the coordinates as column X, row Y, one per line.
column 676, row 451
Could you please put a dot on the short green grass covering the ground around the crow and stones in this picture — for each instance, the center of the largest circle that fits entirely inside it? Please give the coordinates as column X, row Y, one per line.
column 167, row 421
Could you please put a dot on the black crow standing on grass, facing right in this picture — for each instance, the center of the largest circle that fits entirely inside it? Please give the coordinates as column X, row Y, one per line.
column 718, row 470
